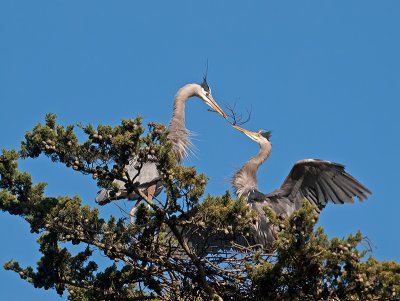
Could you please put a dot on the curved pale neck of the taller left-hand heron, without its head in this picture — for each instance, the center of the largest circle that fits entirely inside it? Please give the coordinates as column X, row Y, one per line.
column 178, row 134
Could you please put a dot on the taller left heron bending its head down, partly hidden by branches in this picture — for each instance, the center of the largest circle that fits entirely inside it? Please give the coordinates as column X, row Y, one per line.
column 148, row 178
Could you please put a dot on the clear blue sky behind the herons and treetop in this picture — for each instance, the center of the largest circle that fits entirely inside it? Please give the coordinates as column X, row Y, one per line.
column 322, row 75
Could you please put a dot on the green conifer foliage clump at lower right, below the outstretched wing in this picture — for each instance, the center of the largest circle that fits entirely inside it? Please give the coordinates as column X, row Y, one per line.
column 308, row 266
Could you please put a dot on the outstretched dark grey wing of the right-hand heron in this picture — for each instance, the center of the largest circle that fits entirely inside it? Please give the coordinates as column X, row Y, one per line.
column 319, row 182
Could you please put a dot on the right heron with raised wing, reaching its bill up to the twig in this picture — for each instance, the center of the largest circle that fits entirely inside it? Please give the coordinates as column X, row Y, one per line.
column 317, row 181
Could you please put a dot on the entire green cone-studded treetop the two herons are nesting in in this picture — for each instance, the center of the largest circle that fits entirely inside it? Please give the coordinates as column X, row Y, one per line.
column 154, row 257
